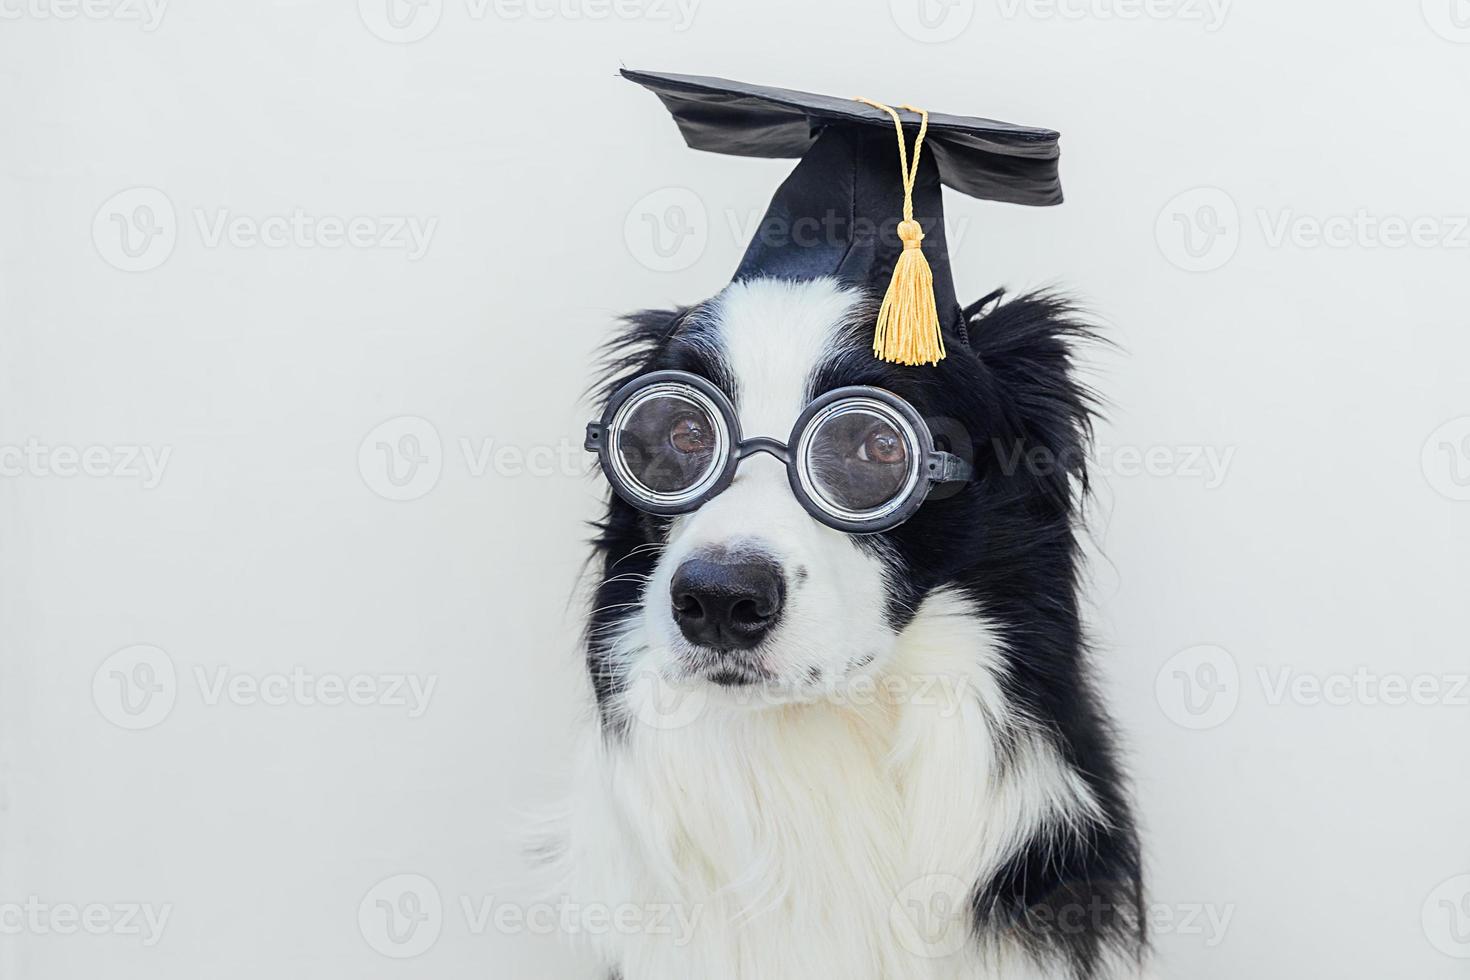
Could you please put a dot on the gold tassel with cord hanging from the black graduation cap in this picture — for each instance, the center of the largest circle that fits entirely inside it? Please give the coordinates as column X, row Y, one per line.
column 908, row 328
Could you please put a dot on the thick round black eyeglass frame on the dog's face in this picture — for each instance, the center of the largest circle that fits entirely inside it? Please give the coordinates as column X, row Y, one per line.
column 936, row 466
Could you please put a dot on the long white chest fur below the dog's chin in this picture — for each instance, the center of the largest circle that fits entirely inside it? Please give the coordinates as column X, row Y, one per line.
column 840, row 838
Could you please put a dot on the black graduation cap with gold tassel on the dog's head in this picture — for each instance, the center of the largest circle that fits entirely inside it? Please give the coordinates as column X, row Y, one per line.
column 839, row 212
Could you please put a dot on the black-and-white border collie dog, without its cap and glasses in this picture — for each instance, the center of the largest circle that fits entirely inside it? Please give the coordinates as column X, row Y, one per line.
column 908, row 775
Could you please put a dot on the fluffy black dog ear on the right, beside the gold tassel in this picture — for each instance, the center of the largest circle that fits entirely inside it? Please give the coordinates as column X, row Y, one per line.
column 1028, row 347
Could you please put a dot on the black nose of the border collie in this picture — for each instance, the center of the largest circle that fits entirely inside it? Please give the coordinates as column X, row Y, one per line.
column 727, row 605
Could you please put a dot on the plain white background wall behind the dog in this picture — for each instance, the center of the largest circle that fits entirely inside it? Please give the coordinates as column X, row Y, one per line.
column 1331, row 377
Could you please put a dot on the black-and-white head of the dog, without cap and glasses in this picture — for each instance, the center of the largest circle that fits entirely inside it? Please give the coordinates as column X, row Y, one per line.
column 749, row 594
